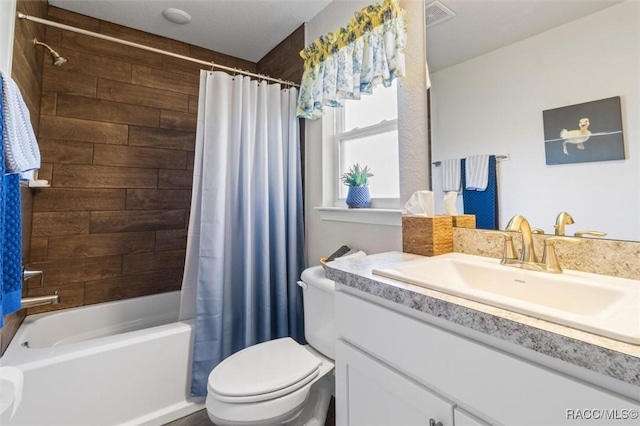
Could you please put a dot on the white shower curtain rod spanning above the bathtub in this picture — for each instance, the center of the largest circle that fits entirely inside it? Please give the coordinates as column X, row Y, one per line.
column 152, row 49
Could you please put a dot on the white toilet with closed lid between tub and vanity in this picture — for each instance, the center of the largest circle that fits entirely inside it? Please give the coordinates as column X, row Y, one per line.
column 281, row 382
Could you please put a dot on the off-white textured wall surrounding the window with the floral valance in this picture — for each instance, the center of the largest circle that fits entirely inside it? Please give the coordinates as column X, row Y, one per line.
column 323, row 237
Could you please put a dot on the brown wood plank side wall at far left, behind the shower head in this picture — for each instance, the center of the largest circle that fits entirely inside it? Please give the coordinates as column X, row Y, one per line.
column 27, row 73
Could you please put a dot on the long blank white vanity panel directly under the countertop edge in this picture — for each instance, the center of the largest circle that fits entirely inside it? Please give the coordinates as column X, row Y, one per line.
column 504, row 388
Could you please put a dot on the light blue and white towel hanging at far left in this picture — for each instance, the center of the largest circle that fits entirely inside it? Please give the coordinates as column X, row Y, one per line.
column 21, row 152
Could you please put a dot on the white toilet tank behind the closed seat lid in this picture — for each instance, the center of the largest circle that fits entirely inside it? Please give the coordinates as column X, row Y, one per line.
column 318, row 299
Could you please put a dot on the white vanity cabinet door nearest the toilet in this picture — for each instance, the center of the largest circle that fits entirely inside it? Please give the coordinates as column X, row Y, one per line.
column 369, row 393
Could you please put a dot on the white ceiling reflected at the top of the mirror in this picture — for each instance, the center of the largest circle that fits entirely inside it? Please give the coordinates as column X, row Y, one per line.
column 481, row 26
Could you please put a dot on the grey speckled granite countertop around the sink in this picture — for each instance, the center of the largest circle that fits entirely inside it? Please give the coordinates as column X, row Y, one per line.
column 596, row 353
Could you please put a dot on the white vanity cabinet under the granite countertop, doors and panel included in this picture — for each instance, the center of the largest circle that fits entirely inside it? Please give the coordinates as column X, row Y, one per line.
column 394, row 370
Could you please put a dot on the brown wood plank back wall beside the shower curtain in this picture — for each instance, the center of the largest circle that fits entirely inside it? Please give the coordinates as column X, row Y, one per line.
column 117, row 133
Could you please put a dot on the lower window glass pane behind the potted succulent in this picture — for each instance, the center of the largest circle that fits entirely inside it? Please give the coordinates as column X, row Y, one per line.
column 380, row 153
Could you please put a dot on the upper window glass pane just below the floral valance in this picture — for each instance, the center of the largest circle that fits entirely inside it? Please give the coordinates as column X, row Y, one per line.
column 371, row 109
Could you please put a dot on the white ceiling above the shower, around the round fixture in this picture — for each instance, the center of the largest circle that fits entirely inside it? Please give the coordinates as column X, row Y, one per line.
column 246, row 29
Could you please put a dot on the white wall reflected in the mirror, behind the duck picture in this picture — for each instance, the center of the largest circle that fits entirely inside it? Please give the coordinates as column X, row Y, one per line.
column 493, row 105
